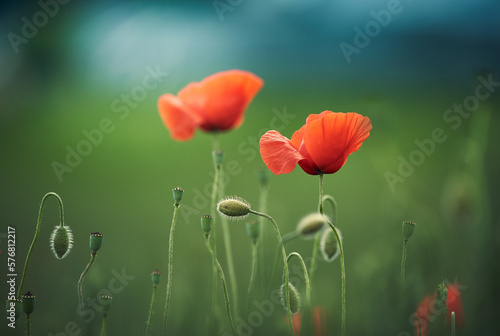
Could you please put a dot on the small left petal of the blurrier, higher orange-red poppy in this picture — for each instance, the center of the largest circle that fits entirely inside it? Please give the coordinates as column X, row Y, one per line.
column 179, row 120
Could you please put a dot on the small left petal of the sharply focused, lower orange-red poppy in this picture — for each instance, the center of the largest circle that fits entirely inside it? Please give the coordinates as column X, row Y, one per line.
column 278, row 153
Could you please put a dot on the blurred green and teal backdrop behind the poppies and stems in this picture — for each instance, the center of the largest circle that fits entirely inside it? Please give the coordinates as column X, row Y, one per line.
column 70, row 69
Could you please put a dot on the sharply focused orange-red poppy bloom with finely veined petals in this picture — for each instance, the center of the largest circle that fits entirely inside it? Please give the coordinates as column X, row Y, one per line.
column 321, row 146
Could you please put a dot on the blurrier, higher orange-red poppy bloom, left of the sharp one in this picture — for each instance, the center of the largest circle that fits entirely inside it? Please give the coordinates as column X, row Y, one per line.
column 215, row 104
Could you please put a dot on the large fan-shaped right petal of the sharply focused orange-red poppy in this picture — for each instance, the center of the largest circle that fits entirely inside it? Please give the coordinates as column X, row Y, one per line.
column 330, row 138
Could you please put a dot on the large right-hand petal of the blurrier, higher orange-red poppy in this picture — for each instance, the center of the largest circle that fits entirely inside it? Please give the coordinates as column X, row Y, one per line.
column 220, row 100
